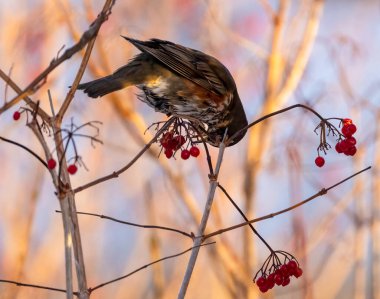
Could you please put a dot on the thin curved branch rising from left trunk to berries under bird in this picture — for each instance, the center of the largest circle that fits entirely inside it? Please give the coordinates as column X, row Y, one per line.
column 115, row 174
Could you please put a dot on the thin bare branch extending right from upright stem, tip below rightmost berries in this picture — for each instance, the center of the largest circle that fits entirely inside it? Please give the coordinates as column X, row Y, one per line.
column 320, row 193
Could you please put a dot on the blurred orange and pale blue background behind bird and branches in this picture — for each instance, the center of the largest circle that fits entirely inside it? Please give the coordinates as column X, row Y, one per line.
column 321, row 53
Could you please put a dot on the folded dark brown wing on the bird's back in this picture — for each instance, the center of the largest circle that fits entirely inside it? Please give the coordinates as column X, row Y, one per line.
column 187, row 62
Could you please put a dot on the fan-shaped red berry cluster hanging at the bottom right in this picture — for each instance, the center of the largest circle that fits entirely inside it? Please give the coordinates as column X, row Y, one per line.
column 274, row 272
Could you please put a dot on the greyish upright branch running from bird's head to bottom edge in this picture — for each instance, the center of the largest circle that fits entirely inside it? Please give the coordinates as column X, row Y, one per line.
column 202, row 227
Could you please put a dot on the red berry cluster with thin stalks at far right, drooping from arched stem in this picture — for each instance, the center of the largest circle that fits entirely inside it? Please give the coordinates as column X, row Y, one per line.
column 346, row 142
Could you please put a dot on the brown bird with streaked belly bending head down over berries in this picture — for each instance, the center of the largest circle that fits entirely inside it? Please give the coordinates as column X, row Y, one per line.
column 182, row 82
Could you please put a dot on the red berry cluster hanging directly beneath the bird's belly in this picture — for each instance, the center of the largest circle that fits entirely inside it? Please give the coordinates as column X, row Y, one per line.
column 172, row 143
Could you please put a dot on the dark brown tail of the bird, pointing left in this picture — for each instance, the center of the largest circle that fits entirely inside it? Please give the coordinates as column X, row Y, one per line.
column 102, row 86
